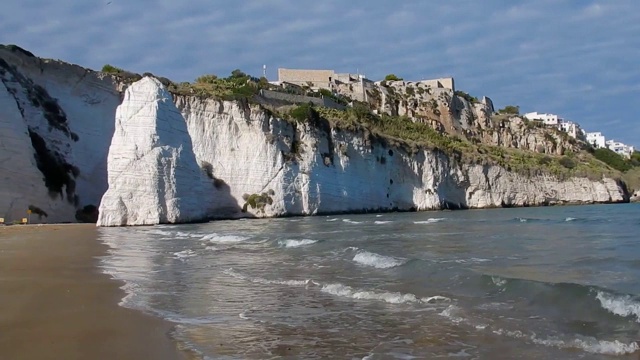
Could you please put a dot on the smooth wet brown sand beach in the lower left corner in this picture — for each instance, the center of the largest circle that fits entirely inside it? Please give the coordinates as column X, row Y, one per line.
column 55, row 303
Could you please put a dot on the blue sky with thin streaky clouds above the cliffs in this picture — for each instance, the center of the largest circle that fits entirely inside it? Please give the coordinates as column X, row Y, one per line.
column 577, row 58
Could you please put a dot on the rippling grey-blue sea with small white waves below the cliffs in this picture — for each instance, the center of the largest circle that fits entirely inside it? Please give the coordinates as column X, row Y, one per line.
column 519, row 283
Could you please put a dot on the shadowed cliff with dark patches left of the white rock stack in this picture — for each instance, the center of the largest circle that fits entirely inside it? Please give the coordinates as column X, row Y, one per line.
column 67, row 114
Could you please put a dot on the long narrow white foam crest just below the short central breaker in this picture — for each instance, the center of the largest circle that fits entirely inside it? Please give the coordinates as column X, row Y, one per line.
column 388, row 297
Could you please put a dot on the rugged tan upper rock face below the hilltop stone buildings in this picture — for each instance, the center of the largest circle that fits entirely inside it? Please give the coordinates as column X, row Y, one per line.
column 466, row 117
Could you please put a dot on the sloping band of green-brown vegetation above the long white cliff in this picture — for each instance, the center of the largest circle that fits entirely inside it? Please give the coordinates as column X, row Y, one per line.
column 403, row 132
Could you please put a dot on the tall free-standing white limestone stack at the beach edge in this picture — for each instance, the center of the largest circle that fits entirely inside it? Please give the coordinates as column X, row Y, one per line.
column 153, row 175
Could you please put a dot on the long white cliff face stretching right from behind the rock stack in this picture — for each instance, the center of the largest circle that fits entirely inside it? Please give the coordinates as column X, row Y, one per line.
column 310, row 169
